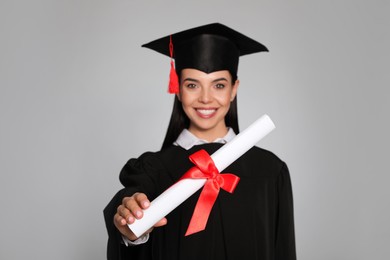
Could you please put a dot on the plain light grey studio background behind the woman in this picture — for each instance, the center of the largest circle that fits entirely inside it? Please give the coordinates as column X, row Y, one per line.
column 79, row 96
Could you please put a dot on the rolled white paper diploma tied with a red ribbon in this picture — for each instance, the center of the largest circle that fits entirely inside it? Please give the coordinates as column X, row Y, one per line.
column 183, row 189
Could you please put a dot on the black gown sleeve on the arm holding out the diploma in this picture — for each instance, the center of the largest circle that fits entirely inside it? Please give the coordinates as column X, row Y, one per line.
column 138, row 175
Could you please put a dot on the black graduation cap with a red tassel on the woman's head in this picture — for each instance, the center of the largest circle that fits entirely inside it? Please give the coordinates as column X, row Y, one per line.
column 207, row 48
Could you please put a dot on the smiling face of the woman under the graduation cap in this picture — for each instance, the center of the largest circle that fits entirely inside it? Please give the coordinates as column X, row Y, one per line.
column 206, row 100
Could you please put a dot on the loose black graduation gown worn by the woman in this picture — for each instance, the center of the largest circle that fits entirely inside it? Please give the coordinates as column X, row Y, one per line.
column 255, row 222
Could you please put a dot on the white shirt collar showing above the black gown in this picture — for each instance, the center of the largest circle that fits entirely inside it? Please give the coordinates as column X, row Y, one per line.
column 187, row 140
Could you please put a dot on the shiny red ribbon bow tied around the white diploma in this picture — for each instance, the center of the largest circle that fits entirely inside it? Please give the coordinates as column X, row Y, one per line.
column 205, row 169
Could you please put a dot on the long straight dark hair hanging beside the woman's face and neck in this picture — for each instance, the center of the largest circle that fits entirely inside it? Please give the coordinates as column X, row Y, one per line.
column 179, row 120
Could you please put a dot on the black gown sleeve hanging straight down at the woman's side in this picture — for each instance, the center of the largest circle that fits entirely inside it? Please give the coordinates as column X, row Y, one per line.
column 285, row 237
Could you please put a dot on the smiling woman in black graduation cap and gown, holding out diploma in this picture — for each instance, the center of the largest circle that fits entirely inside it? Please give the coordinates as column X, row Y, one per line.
column 256, row 221
